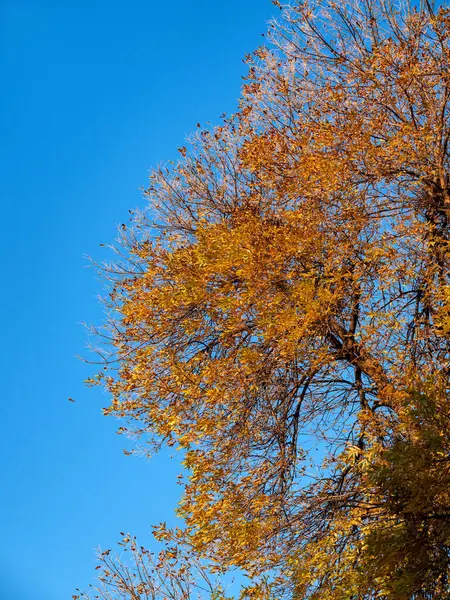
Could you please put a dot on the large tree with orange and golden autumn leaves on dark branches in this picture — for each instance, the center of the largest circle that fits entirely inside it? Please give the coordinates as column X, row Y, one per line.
column 282, row 311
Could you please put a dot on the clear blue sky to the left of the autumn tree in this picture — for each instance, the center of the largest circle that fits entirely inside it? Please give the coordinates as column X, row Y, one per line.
column 94, row 94
